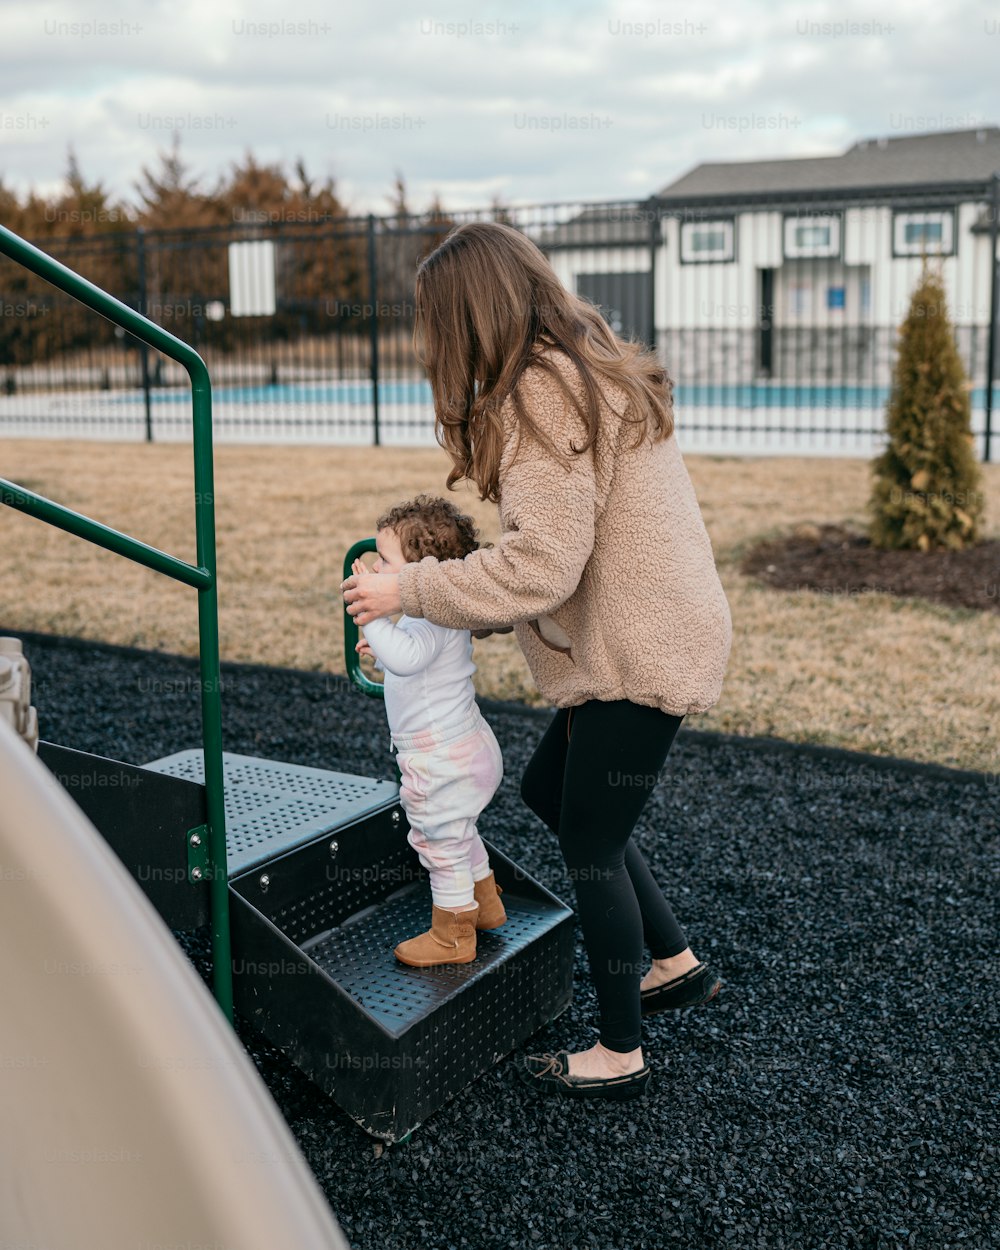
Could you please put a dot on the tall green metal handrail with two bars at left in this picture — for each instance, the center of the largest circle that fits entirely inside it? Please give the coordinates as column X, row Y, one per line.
column 202, row 577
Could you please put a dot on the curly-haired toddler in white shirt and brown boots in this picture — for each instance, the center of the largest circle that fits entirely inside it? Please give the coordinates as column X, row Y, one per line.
column 449, row 761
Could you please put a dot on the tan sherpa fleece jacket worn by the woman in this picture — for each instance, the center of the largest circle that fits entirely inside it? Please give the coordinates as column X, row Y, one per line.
column 604, row 568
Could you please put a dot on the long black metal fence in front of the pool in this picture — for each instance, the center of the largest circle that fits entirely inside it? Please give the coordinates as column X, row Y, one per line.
column 776, row 317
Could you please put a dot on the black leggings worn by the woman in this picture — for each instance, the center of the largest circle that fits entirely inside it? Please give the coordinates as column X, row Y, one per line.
column 591, row 792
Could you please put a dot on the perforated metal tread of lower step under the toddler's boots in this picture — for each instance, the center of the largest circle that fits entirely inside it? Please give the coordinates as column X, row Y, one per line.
column 359, row 957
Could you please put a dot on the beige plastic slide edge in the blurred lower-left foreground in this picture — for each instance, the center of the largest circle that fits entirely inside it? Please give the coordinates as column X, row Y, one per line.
column 131, row 1116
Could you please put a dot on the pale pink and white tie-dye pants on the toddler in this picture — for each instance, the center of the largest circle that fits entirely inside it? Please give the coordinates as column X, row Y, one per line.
column 447, row 779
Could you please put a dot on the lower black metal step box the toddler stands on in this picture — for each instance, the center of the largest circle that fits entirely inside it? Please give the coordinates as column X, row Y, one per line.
column 314, row 972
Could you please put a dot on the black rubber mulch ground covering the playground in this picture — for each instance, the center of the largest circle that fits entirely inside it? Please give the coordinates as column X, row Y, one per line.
column 841, row 1093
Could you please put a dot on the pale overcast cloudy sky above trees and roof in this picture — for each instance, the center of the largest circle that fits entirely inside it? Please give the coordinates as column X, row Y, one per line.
column 534, row 102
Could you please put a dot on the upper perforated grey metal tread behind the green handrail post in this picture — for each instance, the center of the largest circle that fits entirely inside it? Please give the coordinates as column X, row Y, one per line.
column 274, row 807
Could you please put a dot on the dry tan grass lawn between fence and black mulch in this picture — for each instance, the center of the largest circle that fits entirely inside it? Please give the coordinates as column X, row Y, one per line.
column 872, row 673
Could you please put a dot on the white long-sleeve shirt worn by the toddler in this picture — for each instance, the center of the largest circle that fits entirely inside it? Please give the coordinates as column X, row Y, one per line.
column 428, row 673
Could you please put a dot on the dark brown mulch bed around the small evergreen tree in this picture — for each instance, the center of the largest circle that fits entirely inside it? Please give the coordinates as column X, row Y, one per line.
column 841, row 562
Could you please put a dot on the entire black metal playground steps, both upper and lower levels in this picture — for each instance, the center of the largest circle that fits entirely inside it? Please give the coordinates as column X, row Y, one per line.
column 323, row 887
